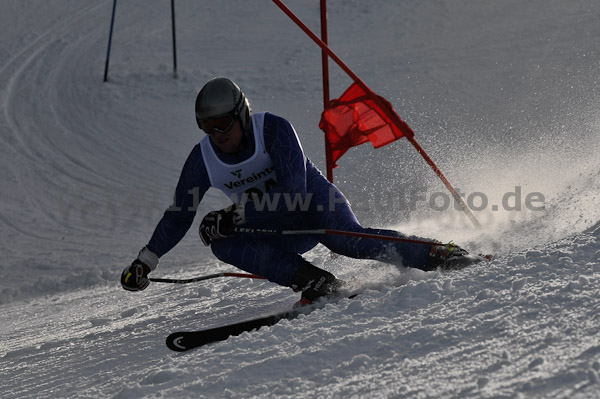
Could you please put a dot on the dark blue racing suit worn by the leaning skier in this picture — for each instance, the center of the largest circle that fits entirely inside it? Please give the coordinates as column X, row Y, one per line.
column 295, row 195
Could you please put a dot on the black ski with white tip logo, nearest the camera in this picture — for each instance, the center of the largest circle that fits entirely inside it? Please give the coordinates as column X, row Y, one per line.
column 182, row 341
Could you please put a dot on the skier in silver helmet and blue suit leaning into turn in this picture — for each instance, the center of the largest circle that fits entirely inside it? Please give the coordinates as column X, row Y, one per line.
column 258, row 161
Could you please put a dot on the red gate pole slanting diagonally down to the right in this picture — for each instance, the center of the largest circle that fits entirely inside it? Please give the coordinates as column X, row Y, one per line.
column 389, row 112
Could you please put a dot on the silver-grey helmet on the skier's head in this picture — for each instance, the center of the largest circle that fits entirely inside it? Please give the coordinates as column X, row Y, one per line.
column 221, row 96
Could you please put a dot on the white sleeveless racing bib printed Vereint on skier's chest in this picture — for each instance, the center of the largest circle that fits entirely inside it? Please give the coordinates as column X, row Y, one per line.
column 254, row 175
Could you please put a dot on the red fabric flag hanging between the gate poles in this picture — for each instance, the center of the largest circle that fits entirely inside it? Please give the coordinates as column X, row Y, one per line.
column 356, row 118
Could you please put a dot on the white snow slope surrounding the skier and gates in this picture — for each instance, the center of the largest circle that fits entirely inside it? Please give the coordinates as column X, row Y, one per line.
column 502, row 95
